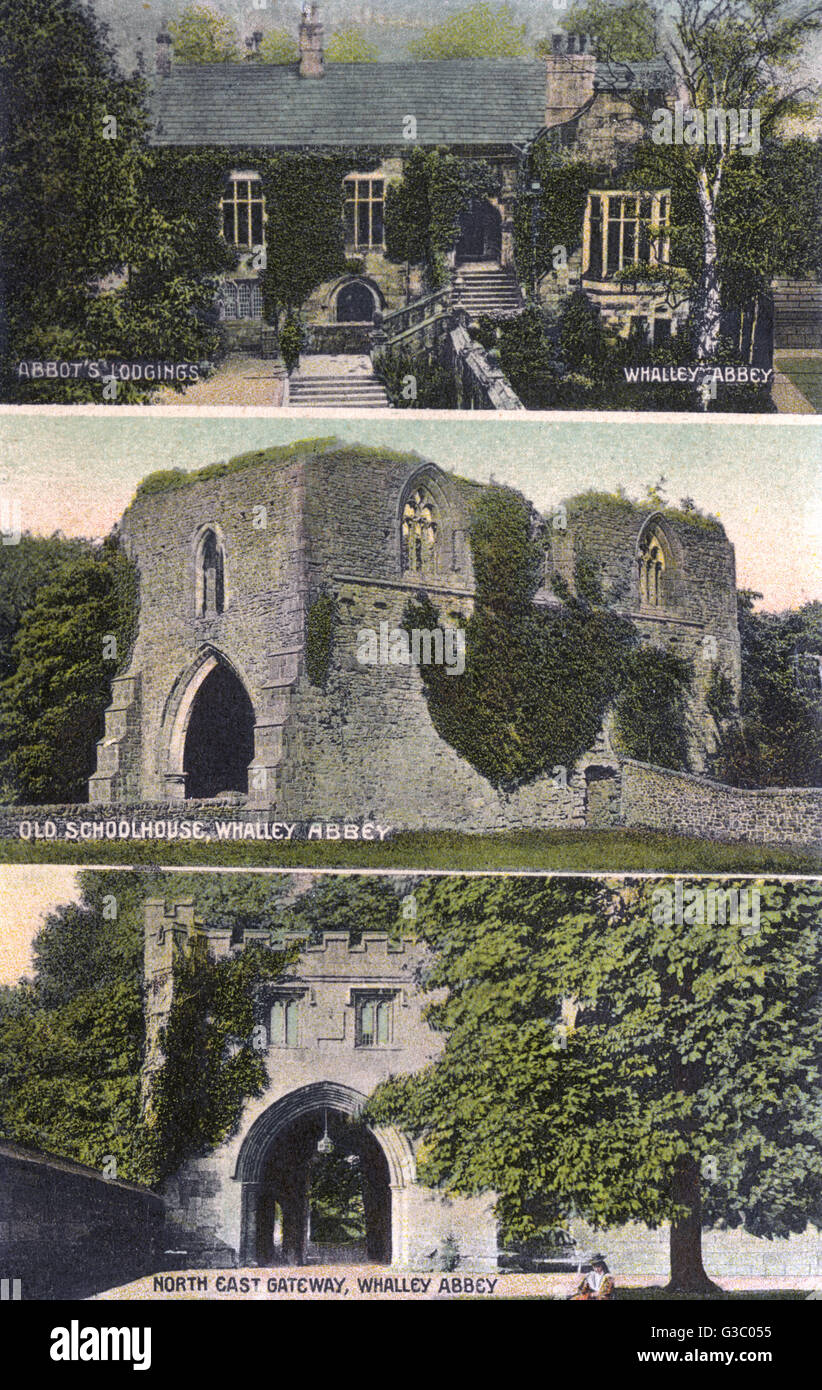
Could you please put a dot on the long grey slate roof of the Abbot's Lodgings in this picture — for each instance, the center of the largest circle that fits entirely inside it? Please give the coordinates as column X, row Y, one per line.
column 461, row 102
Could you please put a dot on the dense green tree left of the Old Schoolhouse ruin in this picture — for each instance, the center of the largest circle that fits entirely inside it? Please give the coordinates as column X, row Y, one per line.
column 52, row 705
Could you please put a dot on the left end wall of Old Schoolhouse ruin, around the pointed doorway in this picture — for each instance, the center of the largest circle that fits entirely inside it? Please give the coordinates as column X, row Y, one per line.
column 258, row 515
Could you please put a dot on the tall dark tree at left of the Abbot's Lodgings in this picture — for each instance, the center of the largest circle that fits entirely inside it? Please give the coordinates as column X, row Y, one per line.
column 91, row 268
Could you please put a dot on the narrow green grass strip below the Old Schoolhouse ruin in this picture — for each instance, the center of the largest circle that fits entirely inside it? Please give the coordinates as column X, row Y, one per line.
column 593, row 851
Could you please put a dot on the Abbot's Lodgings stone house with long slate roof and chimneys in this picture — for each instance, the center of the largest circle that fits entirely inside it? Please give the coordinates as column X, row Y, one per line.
column 492, row 111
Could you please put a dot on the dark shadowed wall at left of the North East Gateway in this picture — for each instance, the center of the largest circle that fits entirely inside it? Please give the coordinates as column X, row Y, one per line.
column 67, row 1232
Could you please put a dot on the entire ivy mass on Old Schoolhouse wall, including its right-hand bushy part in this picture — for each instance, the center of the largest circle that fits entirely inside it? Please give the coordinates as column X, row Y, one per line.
column 539, row 679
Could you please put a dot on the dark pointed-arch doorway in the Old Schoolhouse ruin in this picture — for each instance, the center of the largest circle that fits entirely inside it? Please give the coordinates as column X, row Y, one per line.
column 220, row 736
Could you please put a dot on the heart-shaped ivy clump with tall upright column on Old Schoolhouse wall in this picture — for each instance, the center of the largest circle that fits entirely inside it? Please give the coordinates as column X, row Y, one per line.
column 538, row 680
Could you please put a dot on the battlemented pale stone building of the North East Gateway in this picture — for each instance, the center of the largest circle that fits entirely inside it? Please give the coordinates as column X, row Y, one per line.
column 332, row 1028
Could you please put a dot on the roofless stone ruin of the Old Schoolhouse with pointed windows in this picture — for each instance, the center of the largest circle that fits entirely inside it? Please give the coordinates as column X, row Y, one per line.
column 237, row 562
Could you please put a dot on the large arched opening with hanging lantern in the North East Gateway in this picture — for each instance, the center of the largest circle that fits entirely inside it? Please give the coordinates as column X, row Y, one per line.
column 319, row 1186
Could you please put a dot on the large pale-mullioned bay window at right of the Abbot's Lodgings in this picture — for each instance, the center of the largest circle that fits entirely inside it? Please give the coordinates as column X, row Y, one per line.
column 624, row 229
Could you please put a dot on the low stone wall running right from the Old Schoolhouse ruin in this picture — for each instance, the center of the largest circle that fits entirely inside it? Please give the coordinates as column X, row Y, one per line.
column 659, row 799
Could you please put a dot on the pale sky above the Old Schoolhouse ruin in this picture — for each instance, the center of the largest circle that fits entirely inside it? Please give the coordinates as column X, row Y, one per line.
column 761, row 477
